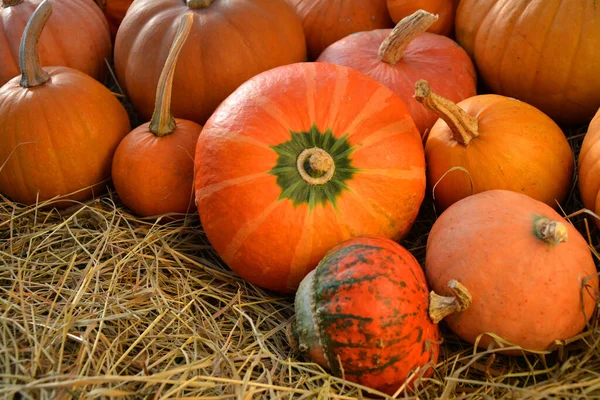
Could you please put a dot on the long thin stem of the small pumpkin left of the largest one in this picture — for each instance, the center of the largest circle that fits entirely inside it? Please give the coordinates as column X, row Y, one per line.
column 162, row 122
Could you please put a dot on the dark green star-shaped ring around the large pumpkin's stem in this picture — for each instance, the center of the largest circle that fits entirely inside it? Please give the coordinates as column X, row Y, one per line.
column 292, row 185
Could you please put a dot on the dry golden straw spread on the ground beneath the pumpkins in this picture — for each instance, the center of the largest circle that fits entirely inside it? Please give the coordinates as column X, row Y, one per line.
column 96, row 303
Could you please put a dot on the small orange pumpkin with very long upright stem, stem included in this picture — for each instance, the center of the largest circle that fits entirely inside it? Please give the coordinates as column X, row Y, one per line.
column 153, row 167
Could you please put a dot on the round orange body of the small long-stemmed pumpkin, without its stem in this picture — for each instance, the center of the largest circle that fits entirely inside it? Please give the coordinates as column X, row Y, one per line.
column 155, row 175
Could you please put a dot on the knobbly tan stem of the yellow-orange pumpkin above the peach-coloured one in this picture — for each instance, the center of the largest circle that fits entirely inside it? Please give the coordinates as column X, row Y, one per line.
column 464, row 127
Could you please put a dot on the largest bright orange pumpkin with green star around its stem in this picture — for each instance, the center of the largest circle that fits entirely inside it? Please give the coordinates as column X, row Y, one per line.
column 299, row 159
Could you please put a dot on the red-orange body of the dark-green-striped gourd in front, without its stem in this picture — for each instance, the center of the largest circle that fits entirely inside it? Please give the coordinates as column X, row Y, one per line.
column 368, row 303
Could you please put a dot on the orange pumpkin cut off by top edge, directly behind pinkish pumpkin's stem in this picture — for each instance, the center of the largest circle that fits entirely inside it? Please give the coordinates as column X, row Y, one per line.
column 445, row 9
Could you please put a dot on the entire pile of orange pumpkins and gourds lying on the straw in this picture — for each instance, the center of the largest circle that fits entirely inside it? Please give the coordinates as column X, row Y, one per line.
column 307, row 133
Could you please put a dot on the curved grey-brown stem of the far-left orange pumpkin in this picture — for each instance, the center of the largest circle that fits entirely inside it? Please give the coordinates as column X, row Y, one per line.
column 32, row 73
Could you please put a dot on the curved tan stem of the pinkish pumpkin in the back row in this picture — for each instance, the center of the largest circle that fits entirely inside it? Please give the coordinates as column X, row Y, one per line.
column 392, row 48
